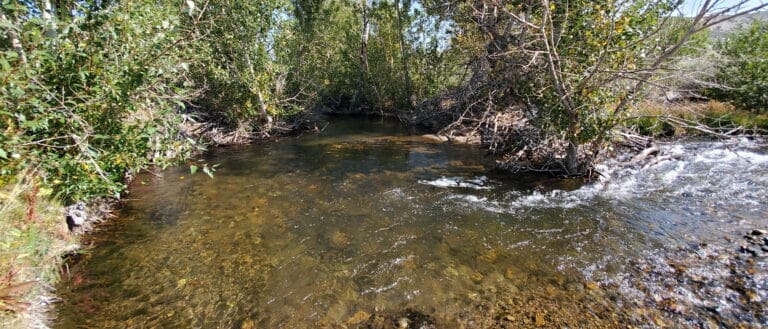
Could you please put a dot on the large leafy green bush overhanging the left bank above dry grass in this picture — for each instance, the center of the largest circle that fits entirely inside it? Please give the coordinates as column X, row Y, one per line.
column 96, row 99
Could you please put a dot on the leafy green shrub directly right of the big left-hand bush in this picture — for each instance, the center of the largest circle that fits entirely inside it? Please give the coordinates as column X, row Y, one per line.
column 241, row 75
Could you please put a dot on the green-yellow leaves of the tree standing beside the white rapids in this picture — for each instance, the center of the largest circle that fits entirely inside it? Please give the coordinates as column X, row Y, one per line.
column 603, row 44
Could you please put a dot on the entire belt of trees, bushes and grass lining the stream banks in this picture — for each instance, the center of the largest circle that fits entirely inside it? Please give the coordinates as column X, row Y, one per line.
column 95, row 91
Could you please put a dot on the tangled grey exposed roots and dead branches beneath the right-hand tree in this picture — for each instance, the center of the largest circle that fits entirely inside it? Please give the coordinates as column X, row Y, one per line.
column 506, row 131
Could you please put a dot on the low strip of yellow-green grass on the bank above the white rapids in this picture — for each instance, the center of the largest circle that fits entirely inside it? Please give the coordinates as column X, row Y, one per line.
column 663, row 120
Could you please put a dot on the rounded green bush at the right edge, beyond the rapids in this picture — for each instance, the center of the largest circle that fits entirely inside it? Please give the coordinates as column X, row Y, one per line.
column 744, row 76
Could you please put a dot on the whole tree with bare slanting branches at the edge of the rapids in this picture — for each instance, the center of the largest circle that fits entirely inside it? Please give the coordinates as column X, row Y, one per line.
column 574, row 66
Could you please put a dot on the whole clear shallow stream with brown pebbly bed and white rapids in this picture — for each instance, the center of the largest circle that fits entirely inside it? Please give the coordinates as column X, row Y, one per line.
column 364, row 225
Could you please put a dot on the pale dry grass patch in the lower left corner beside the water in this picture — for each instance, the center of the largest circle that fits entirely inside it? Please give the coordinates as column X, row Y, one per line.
column 33, row 236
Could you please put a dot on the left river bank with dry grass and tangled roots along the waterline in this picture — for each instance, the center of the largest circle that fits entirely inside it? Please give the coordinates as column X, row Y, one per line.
column 39, row 231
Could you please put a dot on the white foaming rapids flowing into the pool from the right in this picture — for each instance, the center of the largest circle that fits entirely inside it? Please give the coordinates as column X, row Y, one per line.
column 712, row 172
